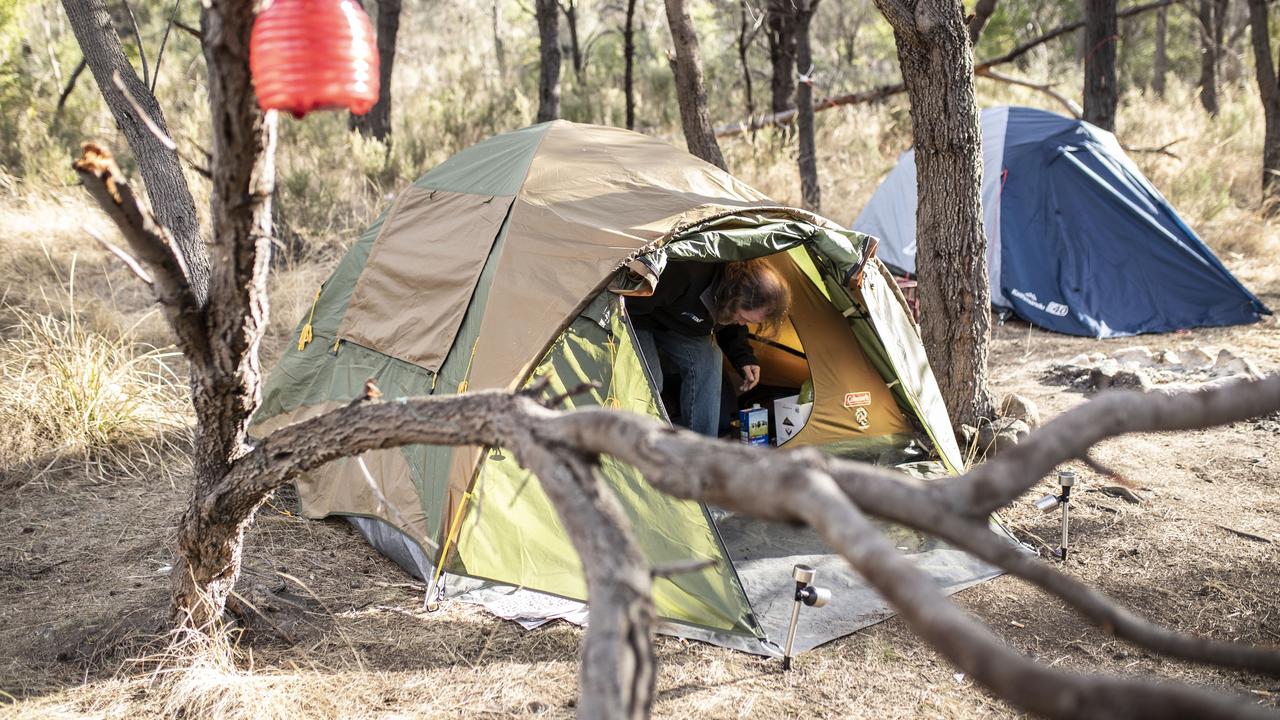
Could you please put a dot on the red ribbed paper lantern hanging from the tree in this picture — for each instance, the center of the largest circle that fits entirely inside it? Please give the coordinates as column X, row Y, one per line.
column 313, row 56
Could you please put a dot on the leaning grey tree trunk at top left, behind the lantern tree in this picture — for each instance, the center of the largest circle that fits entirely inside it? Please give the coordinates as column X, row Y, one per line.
column 159, row 166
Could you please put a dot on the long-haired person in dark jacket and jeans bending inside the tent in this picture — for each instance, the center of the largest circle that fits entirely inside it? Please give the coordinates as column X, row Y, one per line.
column 698, row 307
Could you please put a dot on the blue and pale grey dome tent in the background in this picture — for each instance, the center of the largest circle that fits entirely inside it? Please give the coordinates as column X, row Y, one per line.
column 1078, row 241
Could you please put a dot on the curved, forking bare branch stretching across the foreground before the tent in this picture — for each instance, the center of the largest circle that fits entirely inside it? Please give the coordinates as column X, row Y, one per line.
column 808, row 487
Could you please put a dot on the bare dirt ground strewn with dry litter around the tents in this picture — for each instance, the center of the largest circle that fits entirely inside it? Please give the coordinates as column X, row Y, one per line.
column 340, row 632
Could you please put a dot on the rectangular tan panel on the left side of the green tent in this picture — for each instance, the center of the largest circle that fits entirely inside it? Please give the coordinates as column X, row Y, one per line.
column 431, row 234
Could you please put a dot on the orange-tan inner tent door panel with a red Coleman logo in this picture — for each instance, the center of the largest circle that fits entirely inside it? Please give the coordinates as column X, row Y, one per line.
column 839, row 367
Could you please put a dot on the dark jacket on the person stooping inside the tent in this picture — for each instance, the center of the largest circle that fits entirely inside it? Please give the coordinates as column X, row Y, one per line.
column 684, row 304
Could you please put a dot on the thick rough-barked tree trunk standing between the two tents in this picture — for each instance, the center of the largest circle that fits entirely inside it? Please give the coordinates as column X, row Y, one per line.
column 952, row 257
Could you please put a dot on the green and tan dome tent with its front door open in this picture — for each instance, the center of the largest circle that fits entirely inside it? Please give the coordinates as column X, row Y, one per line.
column 513, row 262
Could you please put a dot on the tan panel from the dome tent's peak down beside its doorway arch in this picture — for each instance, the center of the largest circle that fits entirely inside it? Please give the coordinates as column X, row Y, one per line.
column 593, row 195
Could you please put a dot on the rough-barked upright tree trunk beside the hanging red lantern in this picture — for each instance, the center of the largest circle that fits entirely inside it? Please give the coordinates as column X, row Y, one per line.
column 227, row 389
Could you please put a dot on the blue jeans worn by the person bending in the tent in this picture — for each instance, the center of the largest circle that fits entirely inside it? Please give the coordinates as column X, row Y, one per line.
column 698, row 361
